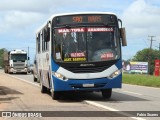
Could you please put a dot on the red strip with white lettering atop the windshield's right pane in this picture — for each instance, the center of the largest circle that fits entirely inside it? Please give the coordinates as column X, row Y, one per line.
column 101, row 29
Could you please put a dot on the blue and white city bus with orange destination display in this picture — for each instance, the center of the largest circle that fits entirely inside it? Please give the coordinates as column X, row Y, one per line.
column 80, row 52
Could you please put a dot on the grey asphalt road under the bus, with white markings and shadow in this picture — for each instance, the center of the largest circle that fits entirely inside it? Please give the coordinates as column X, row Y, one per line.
column 130, row 98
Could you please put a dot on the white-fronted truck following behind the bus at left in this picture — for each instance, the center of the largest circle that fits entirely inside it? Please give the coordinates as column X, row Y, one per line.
column 15, row 61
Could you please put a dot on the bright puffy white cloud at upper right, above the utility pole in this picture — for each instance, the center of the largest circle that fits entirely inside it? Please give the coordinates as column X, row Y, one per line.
column 141, row 19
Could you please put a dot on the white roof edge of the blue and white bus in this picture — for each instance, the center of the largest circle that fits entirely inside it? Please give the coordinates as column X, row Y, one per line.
column 74, row 13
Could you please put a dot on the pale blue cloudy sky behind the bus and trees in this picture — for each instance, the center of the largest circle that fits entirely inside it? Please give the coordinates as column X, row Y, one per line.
column 19, row 20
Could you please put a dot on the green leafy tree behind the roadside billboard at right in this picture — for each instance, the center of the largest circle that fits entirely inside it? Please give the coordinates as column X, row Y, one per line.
column 147, row 55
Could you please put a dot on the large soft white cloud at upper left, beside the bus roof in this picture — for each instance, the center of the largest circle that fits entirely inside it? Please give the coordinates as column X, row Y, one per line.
column 18, row 21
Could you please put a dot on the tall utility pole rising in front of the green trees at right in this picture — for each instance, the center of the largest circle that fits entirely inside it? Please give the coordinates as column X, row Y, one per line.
column 149, row 53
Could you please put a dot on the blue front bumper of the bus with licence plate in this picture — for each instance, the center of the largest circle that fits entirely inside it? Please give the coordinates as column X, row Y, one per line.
column 86, row 84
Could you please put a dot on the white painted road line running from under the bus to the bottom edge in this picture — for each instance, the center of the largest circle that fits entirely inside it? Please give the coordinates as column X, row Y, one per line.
column 111, row 109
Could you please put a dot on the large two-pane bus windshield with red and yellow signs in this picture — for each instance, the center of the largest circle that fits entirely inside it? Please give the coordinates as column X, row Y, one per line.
column 86, row 44
